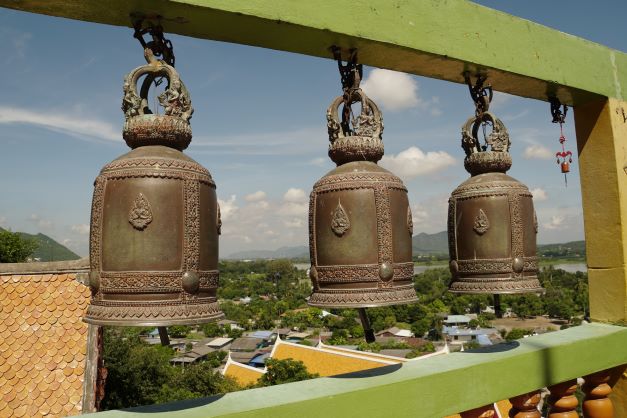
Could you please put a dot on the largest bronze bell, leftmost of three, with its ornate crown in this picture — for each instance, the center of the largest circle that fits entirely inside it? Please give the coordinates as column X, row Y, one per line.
column 155, row 219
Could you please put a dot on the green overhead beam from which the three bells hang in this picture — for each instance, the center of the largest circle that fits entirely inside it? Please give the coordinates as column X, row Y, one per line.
column 433, row 38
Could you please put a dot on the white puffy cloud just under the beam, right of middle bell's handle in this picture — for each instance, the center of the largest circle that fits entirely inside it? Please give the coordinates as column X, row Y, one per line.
column 393, row 90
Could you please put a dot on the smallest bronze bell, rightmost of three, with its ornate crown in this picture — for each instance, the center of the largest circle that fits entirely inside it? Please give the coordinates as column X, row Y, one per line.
column 492, row 225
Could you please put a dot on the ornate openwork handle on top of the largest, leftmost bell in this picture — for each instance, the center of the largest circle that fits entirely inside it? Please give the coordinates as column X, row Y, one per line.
column 175, row 99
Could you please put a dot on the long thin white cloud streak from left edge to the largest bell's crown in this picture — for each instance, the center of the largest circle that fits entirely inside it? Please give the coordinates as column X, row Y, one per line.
column 74, row 125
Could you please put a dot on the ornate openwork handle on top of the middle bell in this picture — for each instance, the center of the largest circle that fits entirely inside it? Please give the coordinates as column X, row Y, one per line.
column 370, row 120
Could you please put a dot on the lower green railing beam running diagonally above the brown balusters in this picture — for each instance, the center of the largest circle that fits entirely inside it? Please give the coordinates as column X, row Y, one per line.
column 433, row 387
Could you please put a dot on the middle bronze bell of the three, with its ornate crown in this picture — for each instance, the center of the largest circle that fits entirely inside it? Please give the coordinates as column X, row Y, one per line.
column 360, row 223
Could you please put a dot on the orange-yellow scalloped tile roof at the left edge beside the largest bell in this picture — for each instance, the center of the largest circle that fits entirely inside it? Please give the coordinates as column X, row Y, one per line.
column 43, row 345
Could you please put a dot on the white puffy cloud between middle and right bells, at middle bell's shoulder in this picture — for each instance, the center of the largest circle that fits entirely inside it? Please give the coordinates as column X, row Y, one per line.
column 413, row 162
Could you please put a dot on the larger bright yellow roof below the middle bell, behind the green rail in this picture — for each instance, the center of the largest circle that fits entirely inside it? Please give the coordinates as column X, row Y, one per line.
column 324, row 362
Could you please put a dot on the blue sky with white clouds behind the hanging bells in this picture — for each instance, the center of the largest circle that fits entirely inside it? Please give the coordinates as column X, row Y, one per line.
column 259, row 127
